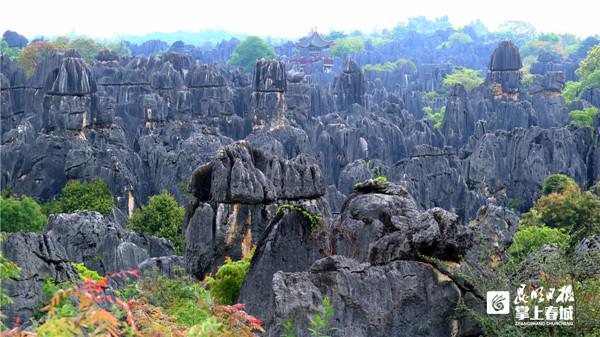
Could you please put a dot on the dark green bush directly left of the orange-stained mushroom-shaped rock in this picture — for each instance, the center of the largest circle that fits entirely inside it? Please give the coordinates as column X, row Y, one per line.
column 161, row 217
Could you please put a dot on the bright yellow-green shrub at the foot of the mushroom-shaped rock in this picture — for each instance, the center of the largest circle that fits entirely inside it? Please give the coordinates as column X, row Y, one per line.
column 226, row 284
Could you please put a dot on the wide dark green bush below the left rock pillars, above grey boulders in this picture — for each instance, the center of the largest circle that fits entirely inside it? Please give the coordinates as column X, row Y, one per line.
column 85, row 196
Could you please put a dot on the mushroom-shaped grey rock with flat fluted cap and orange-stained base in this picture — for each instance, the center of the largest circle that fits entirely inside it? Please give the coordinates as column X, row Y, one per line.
column 236, row 195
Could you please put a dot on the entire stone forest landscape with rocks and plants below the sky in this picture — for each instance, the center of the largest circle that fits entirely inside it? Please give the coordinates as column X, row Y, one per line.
column 341, row 184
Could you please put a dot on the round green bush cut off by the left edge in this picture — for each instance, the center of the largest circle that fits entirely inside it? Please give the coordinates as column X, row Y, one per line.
column 21, row 215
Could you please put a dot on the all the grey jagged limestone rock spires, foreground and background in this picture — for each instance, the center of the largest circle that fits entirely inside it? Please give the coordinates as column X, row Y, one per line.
column 247, row 145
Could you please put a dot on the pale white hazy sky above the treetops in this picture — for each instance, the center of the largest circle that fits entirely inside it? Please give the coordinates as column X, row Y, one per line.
column 110, row 18
